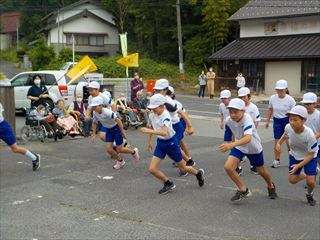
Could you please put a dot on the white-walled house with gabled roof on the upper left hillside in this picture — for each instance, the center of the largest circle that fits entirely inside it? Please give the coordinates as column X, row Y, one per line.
column 86, row 24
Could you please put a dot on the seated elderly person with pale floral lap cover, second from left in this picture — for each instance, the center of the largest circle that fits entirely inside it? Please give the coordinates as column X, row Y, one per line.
column 67, row 122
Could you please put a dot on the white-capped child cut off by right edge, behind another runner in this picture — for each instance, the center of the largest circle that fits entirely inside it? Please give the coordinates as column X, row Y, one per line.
column 313, row 120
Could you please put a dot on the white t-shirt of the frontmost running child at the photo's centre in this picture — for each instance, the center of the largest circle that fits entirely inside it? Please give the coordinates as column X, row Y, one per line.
column 158, row 122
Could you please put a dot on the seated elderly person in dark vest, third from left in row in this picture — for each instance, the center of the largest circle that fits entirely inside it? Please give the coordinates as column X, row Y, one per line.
column 78, row 110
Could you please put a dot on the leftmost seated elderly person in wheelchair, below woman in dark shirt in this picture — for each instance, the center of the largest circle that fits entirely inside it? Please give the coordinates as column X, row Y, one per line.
column 48, row 121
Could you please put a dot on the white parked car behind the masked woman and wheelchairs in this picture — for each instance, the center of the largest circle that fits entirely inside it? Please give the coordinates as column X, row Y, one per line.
column 55, row 81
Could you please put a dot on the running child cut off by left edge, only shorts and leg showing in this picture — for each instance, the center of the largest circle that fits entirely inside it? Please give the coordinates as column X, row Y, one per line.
column 6, row 134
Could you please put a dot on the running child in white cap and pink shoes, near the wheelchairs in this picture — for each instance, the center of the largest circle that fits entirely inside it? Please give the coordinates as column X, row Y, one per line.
column 114, row 131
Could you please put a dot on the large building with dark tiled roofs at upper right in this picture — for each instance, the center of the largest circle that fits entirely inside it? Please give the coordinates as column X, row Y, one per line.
column 278, row 40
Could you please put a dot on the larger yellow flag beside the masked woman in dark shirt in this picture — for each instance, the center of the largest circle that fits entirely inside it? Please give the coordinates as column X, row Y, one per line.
column 85, row 65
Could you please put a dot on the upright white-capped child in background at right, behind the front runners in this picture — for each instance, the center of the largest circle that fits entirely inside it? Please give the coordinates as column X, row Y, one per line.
column 279, row 105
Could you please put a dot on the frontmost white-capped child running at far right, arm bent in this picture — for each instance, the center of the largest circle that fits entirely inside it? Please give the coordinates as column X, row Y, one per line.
column 303, row 150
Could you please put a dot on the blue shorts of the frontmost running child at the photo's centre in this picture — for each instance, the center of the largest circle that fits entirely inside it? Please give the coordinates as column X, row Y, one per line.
column 168, row 147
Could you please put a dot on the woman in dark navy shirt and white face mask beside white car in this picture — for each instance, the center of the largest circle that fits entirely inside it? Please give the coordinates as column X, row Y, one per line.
column 38, row 93
